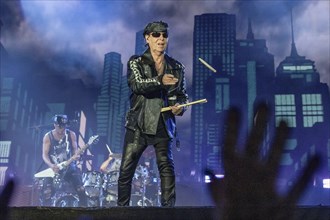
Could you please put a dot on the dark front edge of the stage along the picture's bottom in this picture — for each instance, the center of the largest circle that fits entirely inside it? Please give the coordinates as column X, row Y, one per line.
column 143, row 213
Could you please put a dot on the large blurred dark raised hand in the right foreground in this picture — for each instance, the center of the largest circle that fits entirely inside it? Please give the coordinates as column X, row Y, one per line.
column 248, row 190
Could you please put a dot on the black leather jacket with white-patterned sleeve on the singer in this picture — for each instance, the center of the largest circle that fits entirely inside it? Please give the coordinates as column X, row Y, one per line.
column 148, row 94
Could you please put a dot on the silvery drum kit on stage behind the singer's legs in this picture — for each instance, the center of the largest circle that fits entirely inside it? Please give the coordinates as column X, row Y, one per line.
column 101, row 189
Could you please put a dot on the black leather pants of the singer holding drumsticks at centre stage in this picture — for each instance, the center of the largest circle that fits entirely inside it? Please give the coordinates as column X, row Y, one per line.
column 135, row 144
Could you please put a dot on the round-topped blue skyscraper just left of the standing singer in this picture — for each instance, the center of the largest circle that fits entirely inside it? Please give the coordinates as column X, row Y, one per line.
column 110, row 106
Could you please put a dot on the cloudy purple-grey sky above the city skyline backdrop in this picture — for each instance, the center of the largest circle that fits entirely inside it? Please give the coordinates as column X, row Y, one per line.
column 71, row 37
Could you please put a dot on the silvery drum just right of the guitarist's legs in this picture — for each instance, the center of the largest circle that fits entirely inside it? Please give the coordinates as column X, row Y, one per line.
column 93, row 182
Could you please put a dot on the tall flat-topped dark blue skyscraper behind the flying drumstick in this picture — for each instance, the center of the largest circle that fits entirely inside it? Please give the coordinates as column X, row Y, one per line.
column 214, row 42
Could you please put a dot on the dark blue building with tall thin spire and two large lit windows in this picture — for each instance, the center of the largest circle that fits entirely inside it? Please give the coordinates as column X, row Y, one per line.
column 304, row 102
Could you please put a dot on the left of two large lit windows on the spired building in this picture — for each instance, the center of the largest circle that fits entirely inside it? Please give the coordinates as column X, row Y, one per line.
column 285, row 109
